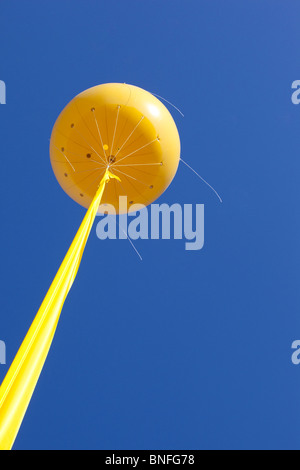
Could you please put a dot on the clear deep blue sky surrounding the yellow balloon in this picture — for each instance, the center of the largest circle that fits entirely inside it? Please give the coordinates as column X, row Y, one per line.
column 185, row 350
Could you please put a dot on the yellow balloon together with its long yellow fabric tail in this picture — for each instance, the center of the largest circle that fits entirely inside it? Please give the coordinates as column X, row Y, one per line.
column 109, row 141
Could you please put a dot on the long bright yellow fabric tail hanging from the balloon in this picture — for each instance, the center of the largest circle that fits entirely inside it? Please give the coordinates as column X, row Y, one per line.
column 19, row 384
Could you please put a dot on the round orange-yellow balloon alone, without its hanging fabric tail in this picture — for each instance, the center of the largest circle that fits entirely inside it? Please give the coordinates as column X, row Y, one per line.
column 120, row 127
